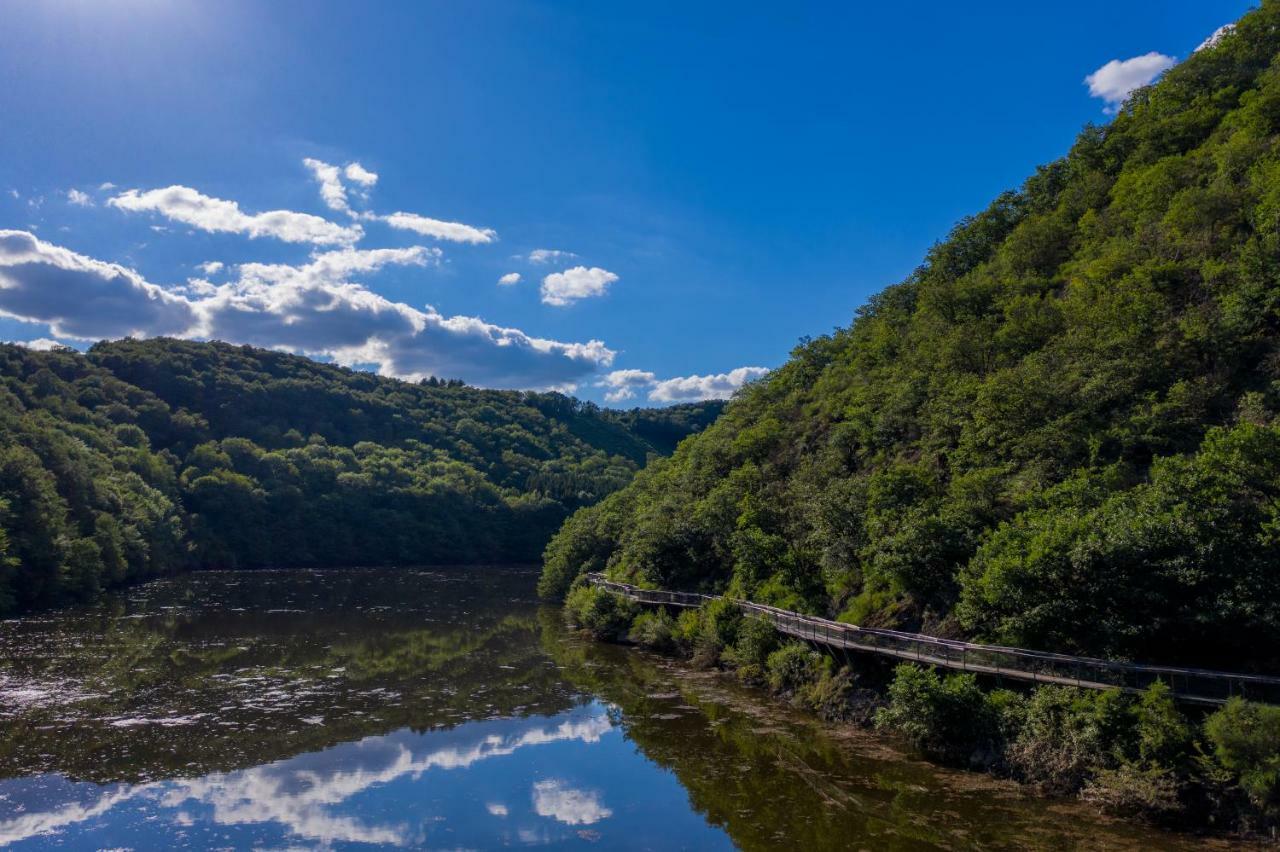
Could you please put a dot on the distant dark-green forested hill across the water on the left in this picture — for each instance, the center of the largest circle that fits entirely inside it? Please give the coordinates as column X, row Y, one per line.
column 141, row 459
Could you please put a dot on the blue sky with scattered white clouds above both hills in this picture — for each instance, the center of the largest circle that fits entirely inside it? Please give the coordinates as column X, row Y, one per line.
column 637, row 204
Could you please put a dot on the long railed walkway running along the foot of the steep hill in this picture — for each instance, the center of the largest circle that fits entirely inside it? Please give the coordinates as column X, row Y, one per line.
column 1200, row 686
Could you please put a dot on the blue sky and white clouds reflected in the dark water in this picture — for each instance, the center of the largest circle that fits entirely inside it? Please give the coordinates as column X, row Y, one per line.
column 483, row 785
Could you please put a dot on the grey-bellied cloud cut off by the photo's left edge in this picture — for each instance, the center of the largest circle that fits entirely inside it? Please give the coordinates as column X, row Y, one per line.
column 80, row 297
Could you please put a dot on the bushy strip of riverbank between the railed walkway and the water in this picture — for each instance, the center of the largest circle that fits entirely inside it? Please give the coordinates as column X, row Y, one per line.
column 1139, row 758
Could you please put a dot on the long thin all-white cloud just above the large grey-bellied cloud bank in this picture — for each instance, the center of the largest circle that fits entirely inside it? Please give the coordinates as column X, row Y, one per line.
column 216, row 216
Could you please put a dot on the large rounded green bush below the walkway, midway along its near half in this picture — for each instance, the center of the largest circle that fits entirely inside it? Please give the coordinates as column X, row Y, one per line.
column 948, row 718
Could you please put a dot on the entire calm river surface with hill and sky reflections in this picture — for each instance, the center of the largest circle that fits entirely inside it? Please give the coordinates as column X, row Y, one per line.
column 440, row 709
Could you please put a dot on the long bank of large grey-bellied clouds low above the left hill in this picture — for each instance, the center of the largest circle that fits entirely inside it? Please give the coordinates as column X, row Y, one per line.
column 313, row 309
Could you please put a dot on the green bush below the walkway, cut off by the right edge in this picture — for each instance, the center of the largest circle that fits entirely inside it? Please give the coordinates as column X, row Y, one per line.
column 1246, row 740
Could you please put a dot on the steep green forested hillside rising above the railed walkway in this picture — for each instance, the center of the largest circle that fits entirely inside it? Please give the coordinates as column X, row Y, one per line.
column 1060, row 432
